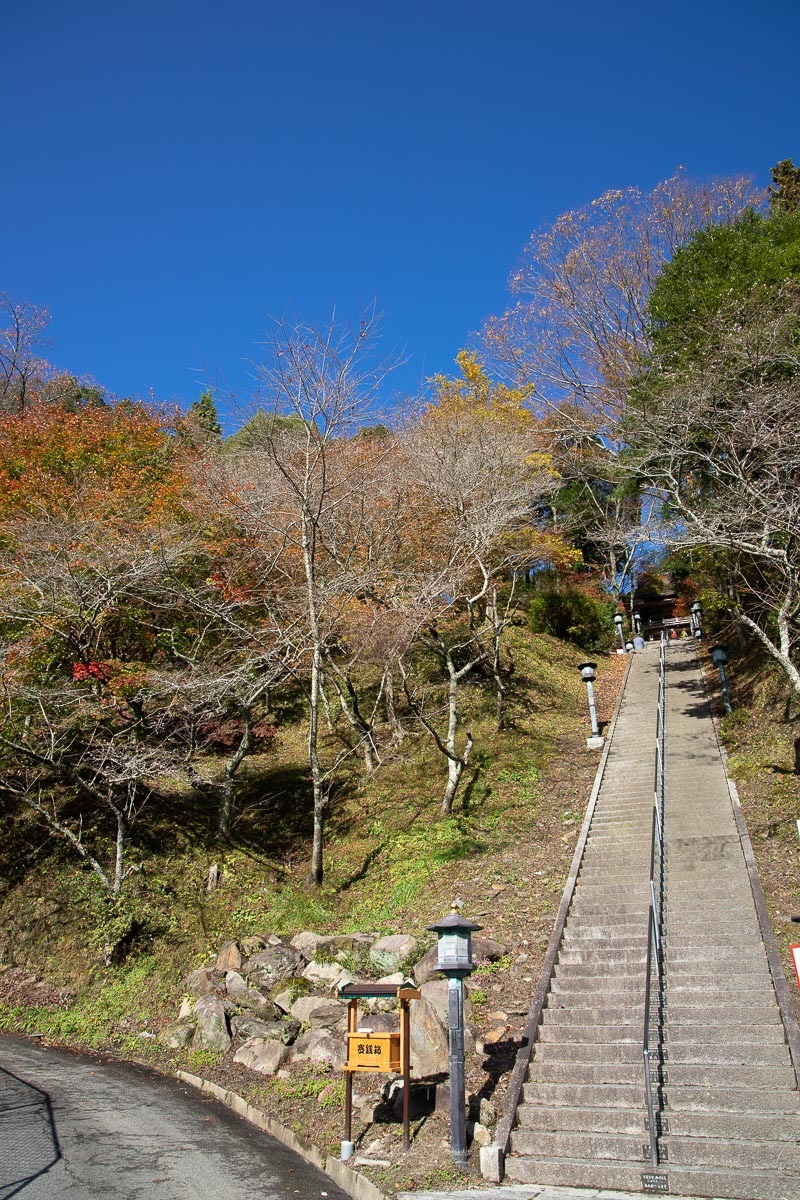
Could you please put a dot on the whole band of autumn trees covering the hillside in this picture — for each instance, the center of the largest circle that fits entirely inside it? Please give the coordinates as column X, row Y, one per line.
column 177, row 607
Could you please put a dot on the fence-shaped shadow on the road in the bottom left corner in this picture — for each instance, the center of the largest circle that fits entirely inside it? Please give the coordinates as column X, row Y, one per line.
column 28, row 1137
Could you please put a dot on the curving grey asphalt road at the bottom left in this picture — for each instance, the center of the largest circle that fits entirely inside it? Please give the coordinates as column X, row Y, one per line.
column 79, row 1129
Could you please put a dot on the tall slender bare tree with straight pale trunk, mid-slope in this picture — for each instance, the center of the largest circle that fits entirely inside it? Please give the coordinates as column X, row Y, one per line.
column 302, row 487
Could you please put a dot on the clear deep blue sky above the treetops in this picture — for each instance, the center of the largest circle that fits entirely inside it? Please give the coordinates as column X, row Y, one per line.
column 175, row 173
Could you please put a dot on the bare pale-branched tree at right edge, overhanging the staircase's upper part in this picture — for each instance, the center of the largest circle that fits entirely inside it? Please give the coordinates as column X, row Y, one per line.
column 720, row 442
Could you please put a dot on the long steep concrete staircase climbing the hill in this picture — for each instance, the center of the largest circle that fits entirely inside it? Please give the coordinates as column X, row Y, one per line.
column 730, row 1125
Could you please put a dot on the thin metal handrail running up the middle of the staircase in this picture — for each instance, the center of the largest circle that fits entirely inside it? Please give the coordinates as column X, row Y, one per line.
column 655, row 915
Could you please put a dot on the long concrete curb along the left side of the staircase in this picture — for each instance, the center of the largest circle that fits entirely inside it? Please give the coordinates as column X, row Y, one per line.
column 494, row 1156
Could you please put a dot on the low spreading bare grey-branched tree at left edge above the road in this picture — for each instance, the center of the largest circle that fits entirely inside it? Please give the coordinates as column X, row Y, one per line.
column 80, row 725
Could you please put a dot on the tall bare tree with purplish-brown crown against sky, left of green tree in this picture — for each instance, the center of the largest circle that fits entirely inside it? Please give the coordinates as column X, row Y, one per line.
column 576, row 337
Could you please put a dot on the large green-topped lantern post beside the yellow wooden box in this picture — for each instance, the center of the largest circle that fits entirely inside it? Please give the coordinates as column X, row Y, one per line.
column 455, row 934
